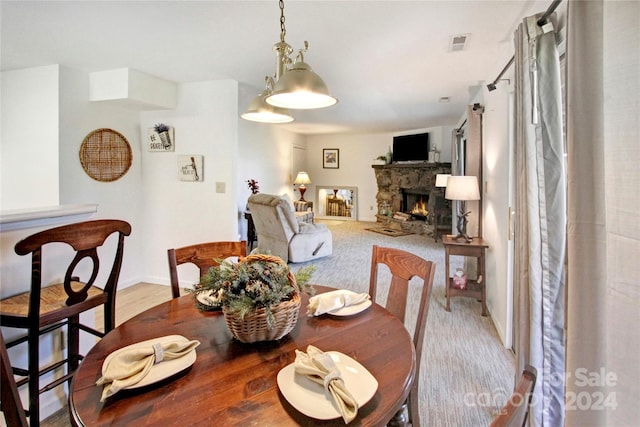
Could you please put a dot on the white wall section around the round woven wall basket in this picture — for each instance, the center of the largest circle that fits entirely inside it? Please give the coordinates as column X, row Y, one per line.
column 78, row 117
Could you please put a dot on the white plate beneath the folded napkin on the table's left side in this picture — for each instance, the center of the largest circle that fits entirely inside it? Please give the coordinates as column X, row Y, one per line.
column 164, row 369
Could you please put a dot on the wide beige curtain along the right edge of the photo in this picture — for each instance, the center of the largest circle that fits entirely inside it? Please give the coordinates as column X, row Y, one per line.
column 603, row 147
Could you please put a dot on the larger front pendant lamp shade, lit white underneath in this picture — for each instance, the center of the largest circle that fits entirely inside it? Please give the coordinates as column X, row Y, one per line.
column 301, row 88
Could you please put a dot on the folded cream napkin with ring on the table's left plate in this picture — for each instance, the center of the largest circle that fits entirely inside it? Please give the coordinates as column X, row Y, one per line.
column 130, row 366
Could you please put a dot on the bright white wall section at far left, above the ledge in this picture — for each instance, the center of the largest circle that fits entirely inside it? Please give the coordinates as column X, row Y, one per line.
column 29, row 149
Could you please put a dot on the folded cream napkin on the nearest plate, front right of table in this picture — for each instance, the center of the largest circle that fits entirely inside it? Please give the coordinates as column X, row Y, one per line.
column 320, row 368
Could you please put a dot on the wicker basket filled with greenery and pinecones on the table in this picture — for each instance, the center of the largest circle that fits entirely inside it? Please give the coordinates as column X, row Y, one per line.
column 259, row 296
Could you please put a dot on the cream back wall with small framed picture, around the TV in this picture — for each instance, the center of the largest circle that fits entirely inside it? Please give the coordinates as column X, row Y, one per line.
column 357, row 152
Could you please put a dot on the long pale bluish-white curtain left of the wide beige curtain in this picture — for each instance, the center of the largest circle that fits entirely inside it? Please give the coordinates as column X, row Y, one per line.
column 540, row 218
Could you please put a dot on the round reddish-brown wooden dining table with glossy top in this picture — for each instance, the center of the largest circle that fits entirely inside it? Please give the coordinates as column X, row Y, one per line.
column 233, row 383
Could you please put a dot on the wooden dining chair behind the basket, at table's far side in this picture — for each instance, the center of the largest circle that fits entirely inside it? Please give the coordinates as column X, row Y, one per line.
column 202, row 255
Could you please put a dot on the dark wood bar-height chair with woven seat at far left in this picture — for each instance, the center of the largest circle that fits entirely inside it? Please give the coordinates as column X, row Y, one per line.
column 46, row 308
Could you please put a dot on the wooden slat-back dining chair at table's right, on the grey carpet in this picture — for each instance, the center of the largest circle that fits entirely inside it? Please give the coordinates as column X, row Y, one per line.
column 404, row 266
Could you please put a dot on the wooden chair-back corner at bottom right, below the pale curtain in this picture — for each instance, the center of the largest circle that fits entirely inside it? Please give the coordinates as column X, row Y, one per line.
column 516, row 411
